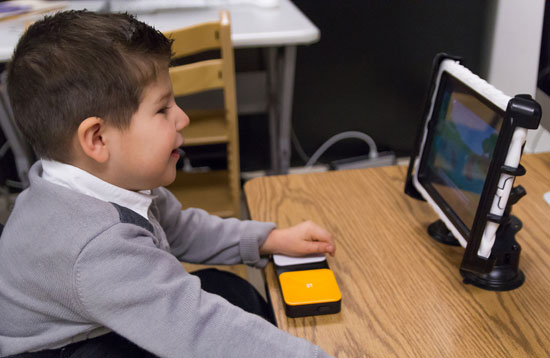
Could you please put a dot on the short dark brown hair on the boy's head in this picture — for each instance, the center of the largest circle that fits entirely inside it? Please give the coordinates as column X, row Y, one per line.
column 79, row 64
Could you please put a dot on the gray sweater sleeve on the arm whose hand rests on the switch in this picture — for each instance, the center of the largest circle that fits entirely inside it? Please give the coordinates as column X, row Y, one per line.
column 198, row 237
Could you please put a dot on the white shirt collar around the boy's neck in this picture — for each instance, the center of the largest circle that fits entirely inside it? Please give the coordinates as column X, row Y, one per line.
column 83, row 182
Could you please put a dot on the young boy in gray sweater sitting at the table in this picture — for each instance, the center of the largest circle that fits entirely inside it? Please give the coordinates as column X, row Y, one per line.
column 90, row 256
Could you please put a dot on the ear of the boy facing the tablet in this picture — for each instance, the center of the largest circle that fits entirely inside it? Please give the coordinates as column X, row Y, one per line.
column 90, row 138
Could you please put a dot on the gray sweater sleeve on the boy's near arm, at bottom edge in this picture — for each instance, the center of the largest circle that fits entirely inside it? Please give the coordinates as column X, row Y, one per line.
column 122, row 281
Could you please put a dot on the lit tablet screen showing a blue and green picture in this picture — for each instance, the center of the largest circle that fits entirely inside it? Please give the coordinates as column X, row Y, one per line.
column 460, row 149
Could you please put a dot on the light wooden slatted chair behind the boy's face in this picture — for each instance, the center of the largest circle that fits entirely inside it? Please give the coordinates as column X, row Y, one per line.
column 218, row 192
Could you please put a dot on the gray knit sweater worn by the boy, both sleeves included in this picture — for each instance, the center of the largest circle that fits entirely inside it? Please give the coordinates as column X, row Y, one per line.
column 73, row 267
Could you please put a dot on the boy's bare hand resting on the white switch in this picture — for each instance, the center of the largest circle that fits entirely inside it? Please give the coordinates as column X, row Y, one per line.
column 300, row 240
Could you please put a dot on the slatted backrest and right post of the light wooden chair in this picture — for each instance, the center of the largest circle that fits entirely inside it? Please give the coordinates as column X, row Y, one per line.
column 211, row 74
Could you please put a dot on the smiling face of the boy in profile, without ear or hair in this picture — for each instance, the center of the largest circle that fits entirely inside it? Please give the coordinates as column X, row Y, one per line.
column 144, row 156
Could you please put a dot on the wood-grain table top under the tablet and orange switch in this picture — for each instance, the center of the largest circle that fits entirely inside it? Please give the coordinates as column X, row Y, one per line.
column 402, row 294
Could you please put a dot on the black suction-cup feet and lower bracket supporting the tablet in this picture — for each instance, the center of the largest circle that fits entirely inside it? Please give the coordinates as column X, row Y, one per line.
column 505, row 274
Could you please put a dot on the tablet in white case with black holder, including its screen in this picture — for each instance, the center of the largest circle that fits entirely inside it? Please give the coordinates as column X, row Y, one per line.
column 467, row 156
